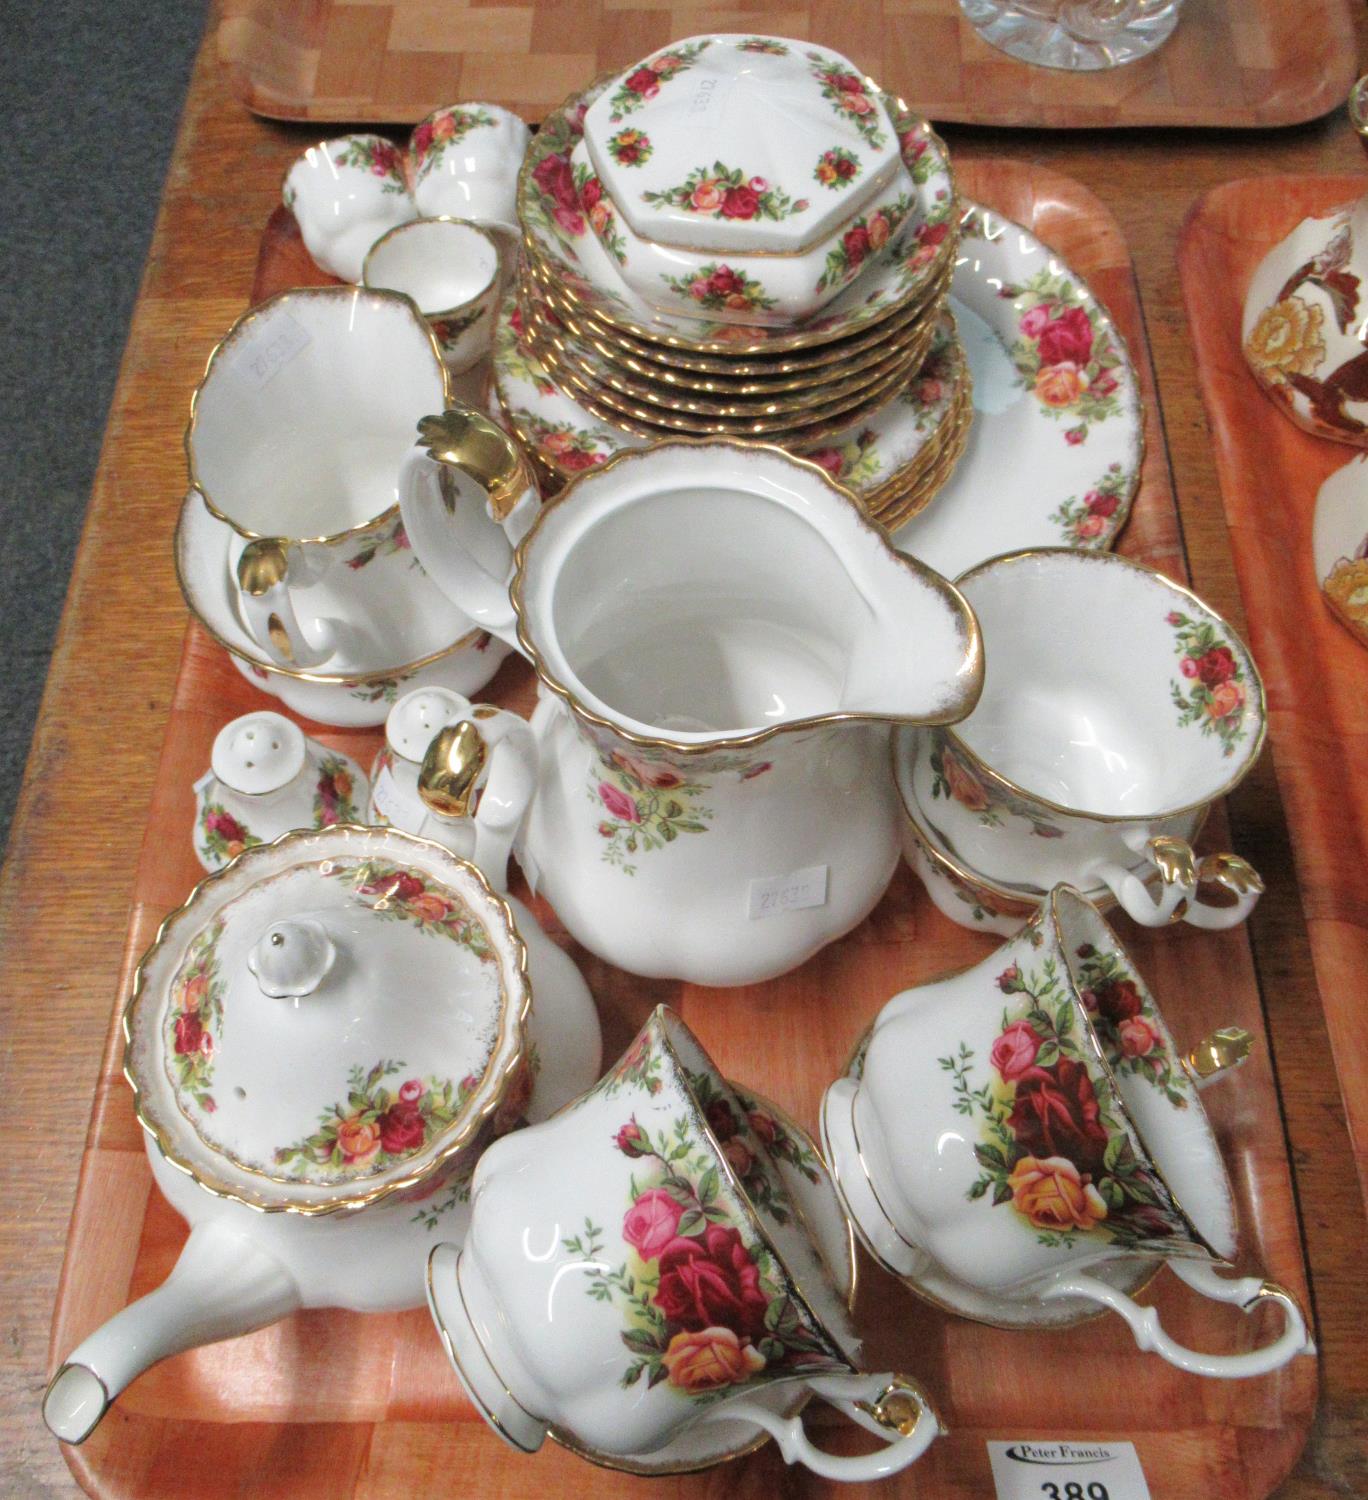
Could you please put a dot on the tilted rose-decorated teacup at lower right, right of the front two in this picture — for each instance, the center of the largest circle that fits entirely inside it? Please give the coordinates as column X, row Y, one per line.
column 1025, row 1133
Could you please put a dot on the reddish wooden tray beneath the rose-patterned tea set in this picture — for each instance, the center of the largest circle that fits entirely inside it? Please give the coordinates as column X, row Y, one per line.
column 346, row 1406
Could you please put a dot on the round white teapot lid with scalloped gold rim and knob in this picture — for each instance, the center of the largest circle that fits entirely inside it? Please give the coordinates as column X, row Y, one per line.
column 329, row 1019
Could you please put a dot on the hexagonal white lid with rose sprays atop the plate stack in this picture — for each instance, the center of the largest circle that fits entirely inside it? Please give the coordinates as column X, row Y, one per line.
column 740, row 143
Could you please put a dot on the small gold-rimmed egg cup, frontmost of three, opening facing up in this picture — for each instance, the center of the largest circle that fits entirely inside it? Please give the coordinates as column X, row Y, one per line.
column 451, row 269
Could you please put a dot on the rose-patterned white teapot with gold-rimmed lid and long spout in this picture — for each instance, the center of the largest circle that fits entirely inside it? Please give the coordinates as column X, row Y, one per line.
column 319, row 1139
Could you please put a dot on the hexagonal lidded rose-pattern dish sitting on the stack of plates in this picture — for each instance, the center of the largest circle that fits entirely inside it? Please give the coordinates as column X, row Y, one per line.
column 751, row 152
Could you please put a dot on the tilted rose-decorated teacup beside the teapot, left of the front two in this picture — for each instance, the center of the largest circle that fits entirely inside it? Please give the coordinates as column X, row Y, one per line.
column 637, row 1268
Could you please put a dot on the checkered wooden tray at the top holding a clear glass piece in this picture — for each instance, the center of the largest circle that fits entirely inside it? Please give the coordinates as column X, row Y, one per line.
column 1229, row 64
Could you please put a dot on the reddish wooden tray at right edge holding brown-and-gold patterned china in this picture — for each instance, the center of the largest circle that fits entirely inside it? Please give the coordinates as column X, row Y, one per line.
column 1315, row 671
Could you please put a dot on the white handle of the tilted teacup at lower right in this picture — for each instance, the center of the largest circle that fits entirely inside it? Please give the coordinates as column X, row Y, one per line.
column 1244, row 1292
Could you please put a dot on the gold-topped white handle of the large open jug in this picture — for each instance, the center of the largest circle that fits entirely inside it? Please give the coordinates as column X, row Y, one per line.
column 467, row 500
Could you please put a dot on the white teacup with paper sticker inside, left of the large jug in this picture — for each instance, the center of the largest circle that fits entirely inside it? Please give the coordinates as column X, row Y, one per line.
column 298, row 431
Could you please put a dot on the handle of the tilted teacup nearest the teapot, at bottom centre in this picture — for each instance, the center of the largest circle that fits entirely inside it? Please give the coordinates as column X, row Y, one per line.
column 893, row 1408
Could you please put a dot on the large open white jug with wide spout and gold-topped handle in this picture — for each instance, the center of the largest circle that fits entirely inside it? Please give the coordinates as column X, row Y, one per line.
column 724, row 643
